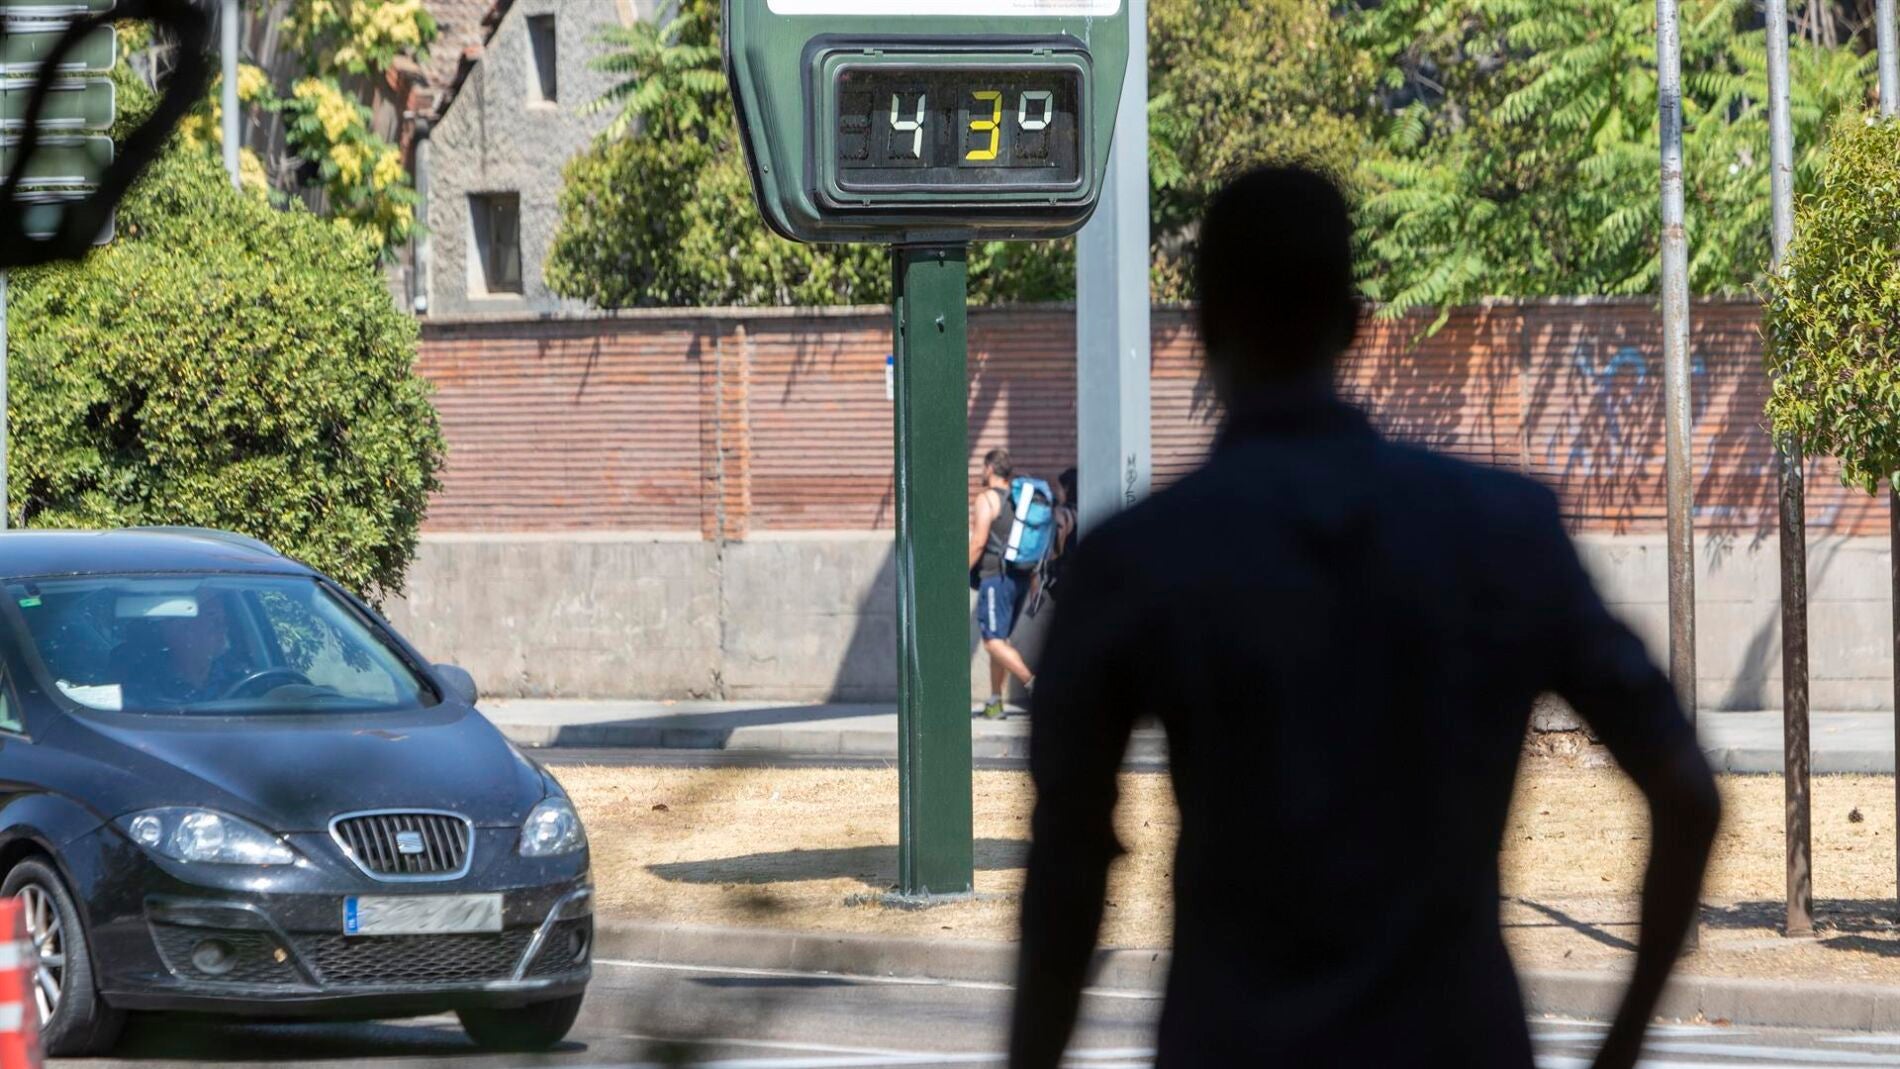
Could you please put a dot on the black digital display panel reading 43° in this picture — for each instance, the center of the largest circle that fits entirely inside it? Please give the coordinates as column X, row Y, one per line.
column 955, row 130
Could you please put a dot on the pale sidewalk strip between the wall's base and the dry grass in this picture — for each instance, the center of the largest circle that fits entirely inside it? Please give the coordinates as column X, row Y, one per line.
column 1734, row 741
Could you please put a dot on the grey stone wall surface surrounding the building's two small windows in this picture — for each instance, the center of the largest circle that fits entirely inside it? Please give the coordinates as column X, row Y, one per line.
column 497, row 138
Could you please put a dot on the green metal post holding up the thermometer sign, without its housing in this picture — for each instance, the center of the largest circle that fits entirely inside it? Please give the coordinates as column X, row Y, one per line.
column 930, row 293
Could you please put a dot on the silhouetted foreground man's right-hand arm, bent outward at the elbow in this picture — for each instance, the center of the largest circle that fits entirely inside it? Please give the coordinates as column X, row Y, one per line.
column 1606, row 675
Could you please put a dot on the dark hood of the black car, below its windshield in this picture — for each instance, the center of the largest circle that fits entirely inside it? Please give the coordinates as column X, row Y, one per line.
column 294, row 774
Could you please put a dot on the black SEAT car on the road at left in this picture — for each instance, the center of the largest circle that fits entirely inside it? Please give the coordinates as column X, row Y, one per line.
column 229, row 787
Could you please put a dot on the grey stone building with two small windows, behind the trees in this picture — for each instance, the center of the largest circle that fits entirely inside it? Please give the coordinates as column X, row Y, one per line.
column 491, row 170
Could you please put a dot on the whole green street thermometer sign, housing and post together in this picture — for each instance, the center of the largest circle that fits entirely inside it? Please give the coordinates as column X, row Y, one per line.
column 926, row 126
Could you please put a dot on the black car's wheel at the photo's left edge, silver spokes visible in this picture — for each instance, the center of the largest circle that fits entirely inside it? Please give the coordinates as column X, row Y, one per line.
column 73, row 1017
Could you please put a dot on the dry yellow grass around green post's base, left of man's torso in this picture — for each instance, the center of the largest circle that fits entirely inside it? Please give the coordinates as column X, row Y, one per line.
column 788, row 848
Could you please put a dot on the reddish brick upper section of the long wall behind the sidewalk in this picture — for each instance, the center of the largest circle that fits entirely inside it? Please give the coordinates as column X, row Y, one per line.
column 736, row 422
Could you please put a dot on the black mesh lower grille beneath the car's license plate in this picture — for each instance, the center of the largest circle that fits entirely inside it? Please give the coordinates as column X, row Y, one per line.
column 377, row 962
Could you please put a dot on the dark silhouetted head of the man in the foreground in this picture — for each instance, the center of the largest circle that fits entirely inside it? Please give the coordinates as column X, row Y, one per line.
column 1276, row 280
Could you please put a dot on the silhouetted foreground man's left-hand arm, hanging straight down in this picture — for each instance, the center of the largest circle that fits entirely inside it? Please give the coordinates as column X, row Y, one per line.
column 1084, row 709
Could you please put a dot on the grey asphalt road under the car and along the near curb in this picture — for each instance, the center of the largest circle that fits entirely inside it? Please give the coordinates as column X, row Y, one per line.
column 651, row 1017
